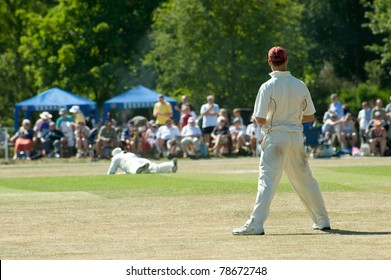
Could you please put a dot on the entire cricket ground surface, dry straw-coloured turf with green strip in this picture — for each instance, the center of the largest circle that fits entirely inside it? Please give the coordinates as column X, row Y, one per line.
column 190, row 214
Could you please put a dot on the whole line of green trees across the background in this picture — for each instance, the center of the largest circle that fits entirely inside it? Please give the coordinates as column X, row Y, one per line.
column 100, row 48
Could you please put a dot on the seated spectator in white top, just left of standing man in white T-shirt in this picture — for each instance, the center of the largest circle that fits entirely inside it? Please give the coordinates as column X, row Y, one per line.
column 191, row 138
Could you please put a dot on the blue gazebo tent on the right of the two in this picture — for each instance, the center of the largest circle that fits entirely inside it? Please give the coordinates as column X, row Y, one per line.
column 137, row 98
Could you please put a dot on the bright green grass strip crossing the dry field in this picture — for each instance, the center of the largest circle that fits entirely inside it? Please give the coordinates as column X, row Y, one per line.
column 341, row 178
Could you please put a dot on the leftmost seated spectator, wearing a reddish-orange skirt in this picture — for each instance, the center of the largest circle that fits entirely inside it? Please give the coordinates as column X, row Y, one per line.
column 24, row 140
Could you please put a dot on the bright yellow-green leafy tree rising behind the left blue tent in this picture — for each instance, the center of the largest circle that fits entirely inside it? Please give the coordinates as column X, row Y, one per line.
column 87, row 47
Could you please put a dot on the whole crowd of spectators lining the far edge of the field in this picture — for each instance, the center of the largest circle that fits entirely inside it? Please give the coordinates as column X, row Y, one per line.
column 211, row 131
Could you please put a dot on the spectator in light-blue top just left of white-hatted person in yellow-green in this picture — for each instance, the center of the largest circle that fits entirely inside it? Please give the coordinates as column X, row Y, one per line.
column 65, row 124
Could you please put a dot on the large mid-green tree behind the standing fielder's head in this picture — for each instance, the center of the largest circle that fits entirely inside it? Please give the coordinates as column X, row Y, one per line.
column 203, row 47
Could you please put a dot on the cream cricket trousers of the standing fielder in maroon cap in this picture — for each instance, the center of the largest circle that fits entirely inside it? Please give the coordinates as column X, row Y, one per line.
column 284, row 151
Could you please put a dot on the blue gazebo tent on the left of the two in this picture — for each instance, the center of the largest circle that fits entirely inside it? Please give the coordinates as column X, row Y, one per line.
column 52, row 100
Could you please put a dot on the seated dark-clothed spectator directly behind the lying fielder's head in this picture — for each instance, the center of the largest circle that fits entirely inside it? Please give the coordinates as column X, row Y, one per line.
column 107, row 138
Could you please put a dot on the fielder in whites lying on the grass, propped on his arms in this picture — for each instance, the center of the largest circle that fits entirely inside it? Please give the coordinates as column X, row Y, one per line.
column 131, row 164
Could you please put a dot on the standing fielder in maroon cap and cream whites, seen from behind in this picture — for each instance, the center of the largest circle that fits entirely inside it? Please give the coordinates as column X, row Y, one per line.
column 283, row 103
